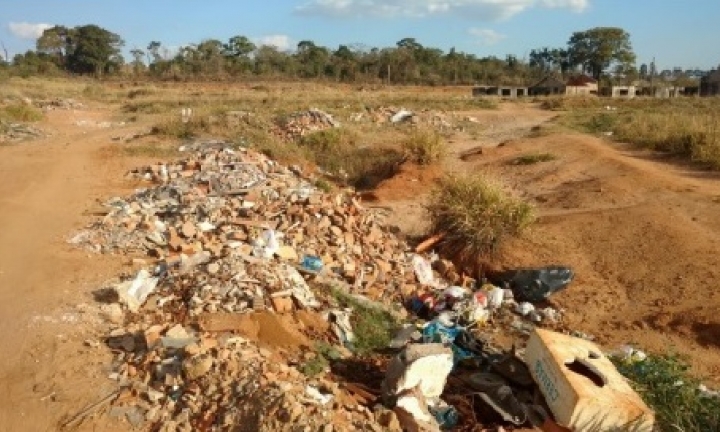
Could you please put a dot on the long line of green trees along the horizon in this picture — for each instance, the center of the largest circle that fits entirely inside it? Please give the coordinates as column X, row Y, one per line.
column 93, row 50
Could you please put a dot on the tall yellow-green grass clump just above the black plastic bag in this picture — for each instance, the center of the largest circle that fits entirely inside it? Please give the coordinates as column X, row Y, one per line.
column 475, row 215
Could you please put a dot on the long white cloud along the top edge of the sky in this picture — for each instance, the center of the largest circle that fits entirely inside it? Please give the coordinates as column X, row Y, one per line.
column 486, row 10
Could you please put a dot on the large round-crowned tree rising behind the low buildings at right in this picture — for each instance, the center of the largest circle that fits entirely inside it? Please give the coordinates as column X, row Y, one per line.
column 598, row 48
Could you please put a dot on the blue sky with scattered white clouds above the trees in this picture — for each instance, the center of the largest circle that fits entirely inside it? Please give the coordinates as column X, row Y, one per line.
column 676, row 32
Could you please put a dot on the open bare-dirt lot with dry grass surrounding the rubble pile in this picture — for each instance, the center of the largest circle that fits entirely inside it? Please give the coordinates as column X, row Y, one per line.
column 639, row 227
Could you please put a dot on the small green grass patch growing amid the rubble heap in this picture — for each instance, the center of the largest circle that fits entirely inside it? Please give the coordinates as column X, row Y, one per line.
column 373, row 327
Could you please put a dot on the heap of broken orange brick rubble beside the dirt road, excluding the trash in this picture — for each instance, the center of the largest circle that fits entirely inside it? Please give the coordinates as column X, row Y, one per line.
column 231, row 233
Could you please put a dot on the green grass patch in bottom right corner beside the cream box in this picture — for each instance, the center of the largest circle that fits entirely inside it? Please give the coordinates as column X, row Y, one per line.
column 668, row 388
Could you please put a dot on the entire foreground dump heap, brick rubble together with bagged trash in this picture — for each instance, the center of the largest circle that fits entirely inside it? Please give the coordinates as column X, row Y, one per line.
column 227, row 237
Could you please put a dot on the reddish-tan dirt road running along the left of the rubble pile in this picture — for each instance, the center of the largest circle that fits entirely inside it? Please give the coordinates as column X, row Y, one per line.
column 45, row 185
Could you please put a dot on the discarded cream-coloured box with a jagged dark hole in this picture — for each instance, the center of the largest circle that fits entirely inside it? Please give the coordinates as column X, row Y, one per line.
column 582, row 387
